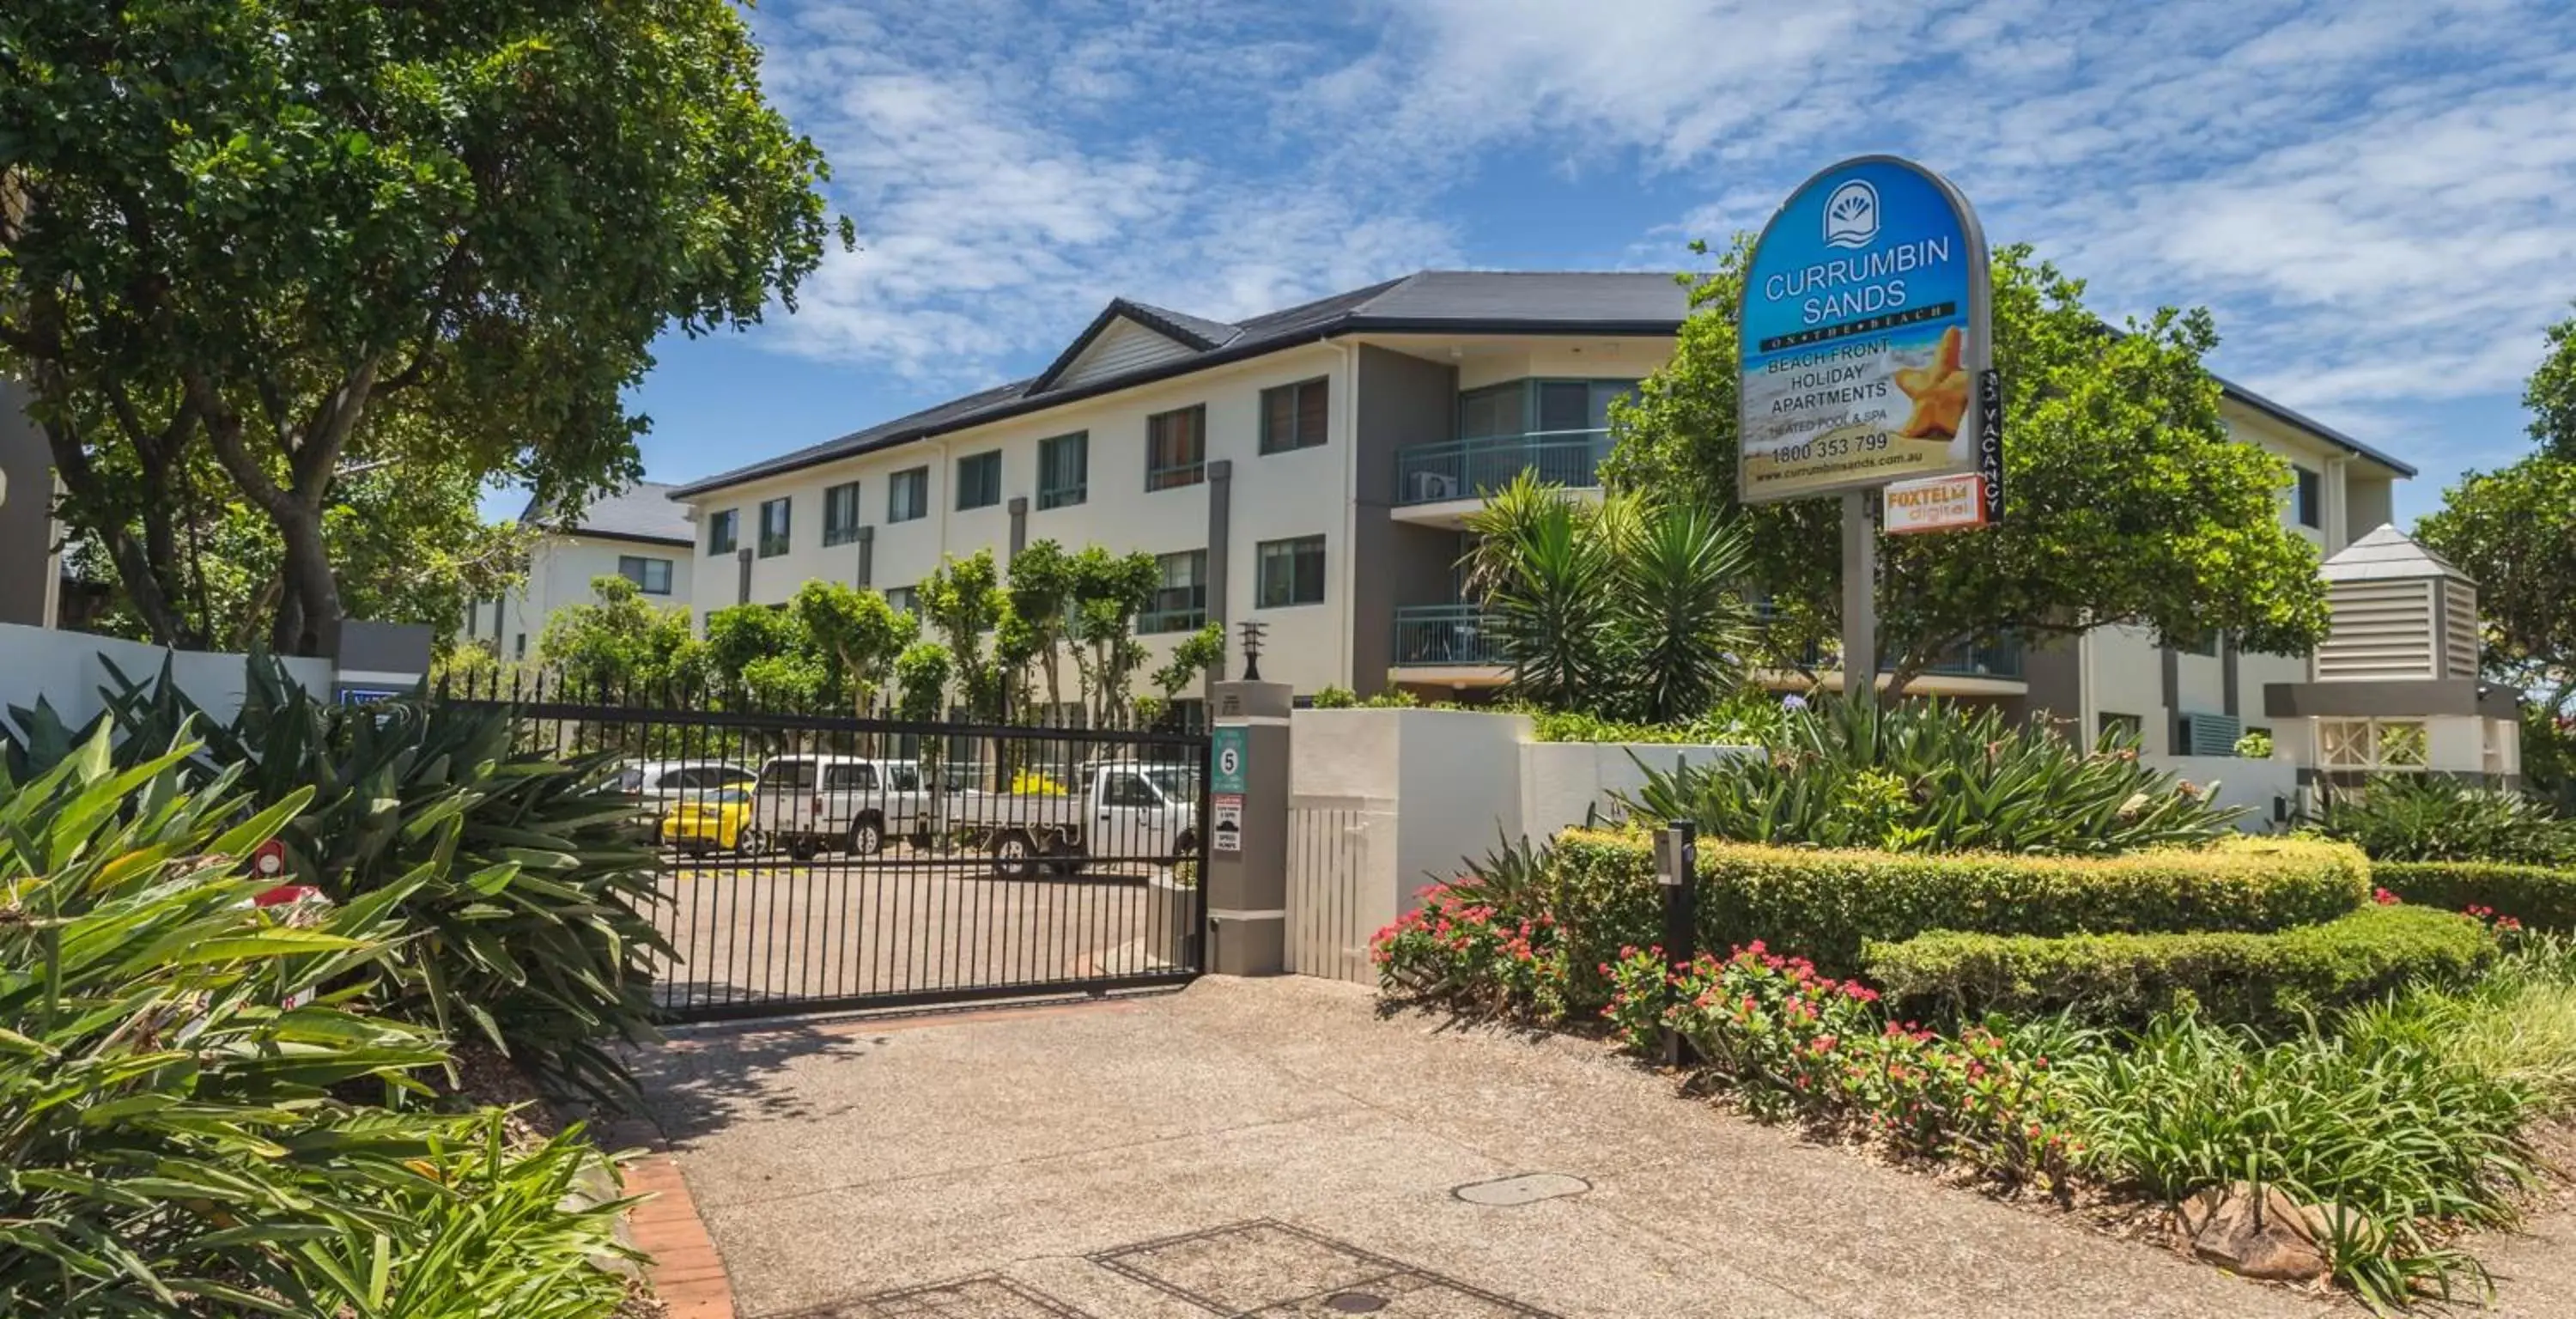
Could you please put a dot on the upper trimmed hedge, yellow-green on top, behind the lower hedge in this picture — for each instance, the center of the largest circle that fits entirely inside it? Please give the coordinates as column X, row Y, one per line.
column 1825, row 906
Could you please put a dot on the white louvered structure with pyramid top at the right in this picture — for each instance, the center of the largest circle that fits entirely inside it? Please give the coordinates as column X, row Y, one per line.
column 2400, row 614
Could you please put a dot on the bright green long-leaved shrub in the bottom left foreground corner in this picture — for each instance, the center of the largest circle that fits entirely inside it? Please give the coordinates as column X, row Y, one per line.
column 184, row 1081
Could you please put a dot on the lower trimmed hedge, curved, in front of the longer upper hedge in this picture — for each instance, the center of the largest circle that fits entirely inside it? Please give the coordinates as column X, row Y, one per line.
column 2237, row 978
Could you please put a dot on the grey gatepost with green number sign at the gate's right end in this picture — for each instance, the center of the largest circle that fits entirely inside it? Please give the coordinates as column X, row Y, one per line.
column 1248, row 828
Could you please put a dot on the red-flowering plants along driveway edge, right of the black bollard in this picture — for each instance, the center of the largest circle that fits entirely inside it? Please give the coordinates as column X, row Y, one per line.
column 1792, row 1042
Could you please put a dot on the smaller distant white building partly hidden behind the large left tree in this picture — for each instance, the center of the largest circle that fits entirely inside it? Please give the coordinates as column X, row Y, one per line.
column 638, row 535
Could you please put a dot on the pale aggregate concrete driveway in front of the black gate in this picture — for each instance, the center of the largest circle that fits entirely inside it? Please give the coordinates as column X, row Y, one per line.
column 1276, row 1148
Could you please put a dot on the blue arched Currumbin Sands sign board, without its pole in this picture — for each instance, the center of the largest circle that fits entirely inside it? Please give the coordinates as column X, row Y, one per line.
column 1864, row 336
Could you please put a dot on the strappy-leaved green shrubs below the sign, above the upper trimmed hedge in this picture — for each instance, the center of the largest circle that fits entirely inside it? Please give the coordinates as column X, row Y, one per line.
column 1928, row 777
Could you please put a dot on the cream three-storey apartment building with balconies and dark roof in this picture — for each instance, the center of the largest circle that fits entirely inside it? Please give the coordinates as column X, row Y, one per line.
column 1315, row 470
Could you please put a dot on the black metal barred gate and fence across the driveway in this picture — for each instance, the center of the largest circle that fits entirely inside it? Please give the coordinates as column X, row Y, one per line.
column 818, row 862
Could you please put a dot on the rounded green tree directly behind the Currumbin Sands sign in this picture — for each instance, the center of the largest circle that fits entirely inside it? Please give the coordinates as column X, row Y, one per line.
column 2126, row 498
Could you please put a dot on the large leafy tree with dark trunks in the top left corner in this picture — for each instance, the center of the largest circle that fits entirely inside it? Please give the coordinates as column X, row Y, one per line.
column 238, row 231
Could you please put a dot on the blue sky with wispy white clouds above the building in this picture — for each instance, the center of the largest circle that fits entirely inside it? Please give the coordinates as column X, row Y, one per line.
column 2376, row 200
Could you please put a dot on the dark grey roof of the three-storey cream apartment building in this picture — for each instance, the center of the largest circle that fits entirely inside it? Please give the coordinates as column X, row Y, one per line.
column 1434, row 303
